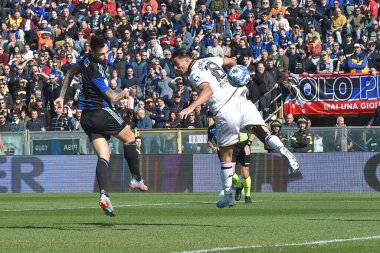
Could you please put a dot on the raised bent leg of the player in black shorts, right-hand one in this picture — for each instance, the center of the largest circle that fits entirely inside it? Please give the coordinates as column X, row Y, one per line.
column 132, row 158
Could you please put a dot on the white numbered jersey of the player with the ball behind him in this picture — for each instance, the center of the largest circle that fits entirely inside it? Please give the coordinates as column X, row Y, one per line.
column 210, row 70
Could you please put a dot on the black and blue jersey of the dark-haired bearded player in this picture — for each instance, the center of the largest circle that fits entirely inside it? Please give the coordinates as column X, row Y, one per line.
column 95, row 84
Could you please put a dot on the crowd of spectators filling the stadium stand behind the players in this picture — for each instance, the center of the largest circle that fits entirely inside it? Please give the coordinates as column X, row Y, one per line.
column 41, row 40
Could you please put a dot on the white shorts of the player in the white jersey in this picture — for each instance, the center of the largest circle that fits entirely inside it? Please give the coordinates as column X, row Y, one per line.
column 233, row 117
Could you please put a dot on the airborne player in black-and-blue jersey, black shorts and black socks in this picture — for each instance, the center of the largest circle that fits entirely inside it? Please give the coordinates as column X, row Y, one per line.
column 99, row 120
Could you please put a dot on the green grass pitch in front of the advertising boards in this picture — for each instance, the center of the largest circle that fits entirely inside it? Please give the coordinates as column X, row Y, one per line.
column 149, row 222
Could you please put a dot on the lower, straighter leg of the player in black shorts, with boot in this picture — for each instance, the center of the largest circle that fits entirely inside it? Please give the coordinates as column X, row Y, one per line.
column 101, row 148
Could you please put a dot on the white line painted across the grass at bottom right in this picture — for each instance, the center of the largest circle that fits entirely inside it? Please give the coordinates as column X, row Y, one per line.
column 284, row 245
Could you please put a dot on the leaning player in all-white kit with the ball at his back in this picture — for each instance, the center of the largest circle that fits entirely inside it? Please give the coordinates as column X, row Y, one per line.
column 231, row 109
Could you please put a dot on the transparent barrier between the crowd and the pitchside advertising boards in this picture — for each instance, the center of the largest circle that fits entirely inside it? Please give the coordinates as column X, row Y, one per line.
column 183, row 141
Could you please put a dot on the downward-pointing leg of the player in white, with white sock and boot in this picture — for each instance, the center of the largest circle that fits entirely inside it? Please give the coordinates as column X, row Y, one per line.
column 226, row 177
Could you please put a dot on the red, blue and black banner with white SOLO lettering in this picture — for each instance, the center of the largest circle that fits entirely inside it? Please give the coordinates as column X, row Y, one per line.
column 343, row 94
